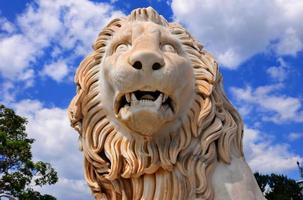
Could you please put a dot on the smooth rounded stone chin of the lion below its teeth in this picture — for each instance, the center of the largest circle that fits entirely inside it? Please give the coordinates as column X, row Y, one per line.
column 145, row 120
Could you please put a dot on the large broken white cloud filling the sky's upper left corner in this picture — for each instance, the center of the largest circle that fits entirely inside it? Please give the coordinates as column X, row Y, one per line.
column 69, row 25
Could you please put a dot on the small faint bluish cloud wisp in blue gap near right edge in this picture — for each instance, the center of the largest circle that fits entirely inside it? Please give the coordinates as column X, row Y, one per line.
column 280, row 72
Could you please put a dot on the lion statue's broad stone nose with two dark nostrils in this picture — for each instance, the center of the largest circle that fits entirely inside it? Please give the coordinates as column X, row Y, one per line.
column 146, row 60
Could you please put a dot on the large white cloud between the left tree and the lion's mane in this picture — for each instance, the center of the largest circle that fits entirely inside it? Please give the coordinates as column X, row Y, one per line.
column 56, row 143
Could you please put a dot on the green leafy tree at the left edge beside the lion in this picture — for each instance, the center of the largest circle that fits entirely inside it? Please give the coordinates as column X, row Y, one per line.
column 18, row 173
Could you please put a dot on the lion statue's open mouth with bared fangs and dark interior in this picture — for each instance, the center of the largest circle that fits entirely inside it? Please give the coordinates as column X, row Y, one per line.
column 144, row 99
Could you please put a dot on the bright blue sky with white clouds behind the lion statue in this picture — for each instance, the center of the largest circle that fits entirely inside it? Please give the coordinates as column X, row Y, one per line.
column 259, row 46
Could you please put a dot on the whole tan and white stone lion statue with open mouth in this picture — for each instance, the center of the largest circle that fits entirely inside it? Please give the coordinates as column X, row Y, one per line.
column 153, row 119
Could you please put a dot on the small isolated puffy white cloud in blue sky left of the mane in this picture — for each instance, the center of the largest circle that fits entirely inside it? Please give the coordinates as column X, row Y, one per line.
column 57, row 70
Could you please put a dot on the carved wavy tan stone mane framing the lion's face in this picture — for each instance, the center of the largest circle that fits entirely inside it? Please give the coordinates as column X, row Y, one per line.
column 177, row 167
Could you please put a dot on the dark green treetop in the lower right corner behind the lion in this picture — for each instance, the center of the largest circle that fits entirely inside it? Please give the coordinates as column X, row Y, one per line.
column 278, row 187
